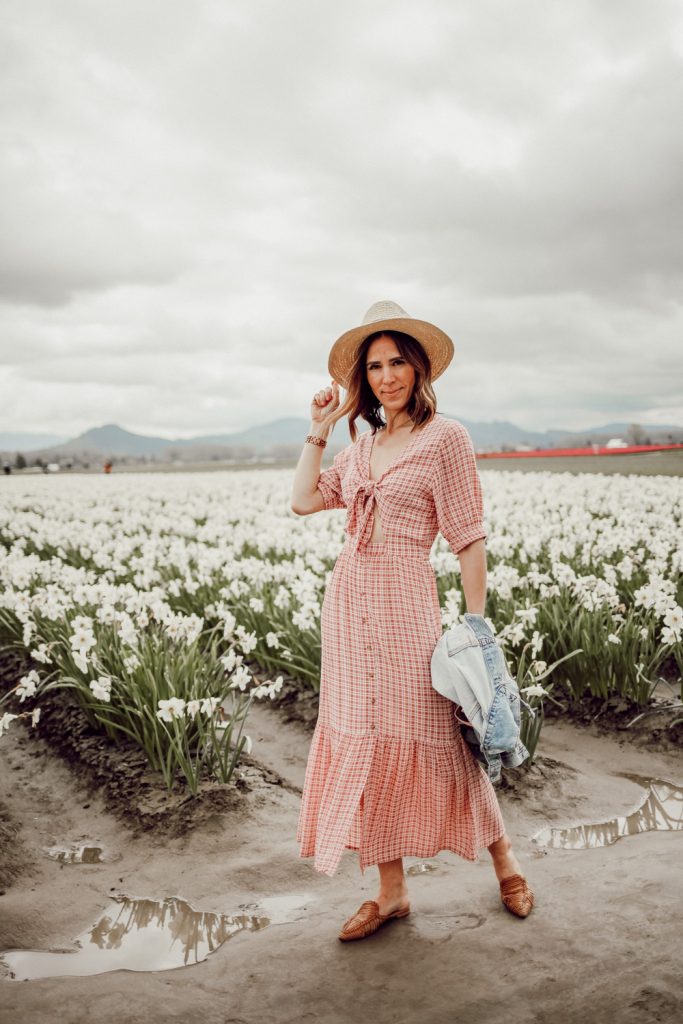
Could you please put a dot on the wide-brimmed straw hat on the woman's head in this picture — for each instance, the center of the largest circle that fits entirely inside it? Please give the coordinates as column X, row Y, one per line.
column 387, row 316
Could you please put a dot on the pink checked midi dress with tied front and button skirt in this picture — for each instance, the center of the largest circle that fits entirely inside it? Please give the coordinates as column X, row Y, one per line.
column 389, row 773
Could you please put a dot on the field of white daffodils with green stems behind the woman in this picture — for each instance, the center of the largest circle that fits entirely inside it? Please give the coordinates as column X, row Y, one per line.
column 146, row 594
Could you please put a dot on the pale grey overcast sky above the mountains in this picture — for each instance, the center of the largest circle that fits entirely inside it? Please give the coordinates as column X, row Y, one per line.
column 200, row 197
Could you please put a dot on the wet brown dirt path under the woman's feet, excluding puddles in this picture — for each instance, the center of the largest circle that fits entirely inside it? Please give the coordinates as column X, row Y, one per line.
column 600, row 947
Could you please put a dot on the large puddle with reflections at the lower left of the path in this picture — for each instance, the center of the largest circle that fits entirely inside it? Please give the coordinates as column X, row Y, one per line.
column 136, row 935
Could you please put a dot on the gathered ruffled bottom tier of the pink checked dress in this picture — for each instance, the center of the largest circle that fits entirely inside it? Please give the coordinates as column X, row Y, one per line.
column 391, row 798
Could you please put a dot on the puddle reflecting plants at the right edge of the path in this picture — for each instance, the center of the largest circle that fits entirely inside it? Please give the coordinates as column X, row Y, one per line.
column 661, row 810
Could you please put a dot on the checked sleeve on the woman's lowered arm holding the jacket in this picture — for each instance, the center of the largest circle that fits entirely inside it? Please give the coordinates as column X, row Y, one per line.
column 457, row 490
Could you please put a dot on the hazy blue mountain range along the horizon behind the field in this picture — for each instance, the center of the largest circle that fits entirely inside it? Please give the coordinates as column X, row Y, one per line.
column 283, row 439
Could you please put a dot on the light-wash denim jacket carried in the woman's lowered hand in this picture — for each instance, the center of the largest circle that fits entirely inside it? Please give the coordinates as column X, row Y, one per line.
column 468, row 667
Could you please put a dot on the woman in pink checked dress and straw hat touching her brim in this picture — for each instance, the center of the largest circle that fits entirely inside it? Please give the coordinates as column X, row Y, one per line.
column 389, row 772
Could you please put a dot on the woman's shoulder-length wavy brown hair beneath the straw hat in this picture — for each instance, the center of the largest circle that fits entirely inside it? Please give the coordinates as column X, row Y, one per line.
column 361, row 400
